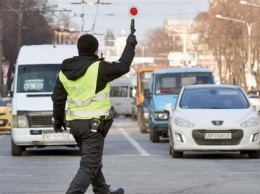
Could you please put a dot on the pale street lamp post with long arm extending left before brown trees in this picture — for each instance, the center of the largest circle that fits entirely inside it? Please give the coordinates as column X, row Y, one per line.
column 249, row 32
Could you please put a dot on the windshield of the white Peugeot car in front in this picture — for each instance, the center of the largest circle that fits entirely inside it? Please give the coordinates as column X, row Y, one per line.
column 213, row 98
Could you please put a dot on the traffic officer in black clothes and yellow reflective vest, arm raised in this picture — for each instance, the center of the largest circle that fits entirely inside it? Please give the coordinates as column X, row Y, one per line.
column 83, row 82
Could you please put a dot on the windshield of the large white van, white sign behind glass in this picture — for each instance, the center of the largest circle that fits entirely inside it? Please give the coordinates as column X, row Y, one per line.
column 37, row 78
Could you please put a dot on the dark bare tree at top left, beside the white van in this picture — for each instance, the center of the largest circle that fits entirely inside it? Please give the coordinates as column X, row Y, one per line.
column 24, row 23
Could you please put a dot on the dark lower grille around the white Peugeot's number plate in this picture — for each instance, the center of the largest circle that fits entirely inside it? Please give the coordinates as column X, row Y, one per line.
column 236, row 134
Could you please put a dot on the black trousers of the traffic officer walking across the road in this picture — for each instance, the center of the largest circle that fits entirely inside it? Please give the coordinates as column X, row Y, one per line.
column 91, row 145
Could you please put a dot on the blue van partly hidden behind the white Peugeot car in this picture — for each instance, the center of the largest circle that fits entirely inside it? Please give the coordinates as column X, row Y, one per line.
column 165, row 88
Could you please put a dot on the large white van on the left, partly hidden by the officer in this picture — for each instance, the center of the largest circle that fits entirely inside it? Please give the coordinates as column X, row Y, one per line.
column 36, row 71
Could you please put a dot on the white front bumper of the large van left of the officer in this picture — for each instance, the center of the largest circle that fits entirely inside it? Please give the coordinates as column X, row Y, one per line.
column 40, row 137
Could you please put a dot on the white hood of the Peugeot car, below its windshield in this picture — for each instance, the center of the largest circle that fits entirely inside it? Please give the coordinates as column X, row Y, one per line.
column 232, row 117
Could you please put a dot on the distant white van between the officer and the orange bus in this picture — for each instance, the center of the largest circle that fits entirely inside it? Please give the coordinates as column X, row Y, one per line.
column 122, row 95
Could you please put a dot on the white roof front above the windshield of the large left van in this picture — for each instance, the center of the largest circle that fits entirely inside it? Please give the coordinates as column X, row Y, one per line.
column 45, row 54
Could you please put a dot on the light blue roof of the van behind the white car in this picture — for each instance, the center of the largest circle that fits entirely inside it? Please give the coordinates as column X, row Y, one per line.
column 181, row 70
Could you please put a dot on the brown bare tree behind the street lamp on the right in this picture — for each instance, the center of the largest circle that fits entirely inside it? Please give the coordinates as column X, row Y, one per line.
column 230, row 39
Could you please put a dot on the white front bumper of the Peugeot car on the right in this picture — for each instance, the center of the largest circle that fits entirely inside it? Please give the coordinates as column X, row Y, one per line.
column 186, row 140
